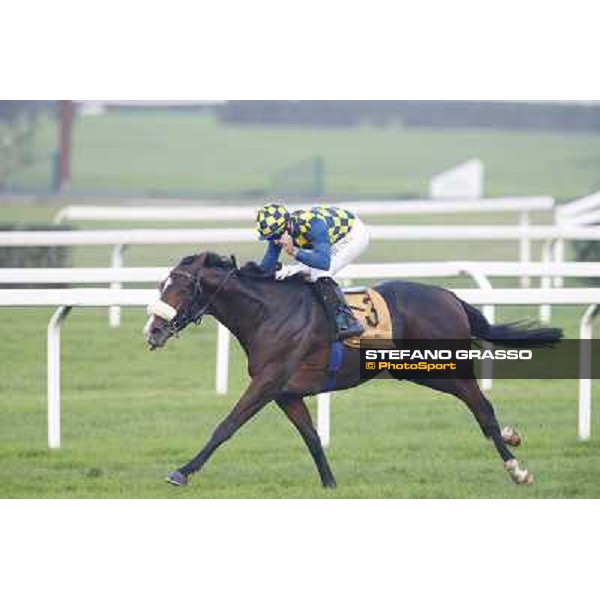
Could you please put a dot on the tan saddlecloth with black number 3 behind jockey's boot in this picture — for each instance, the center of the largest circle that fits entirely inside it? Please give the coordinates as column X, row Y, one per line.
column 370, row 308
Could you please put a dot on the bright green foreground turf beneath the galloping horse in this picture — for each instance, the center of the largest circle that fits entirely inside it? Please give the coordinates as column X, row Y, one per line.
column 130, row 416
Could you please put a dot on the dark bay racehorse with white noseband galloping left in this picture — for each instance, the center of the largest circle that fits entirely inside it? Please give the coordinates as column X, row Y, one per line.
column 286, row 337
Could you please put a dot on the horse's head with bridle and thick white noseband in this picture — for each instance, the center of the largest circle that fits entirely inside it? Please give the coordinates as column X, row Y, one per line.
column 185, row 296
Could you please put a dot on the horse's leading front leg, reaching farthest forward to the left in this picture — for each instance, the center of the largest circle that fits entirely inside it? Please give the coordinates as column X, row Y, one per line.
column 260, row 392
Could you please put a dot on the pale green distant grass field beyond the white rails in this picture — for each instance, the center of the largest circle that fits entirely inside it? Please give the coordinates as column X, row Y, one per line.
column 170, row 153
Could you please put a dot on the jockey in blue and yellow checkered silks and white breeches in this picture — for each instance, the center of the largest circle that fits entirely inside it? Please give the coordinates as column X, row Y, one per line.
column 323, row 239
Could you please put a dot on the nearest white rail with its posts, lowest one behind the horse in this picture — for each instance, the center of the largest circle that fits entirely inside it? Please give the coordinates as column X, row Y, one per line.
column 66, row 299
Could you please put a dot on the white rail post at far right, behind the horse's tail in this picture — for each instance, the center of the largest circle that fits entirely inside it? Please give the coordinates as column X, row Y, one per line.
column 586, row 330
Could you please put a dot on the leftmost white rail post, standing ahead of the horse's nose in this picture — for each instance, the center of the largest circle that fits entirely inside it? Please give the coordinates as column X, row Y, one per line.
column 53, row 376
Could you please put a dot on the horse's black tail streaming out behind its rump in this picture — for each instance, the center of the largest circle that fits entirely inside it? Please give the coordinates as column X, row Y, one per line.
column 516, row 334
